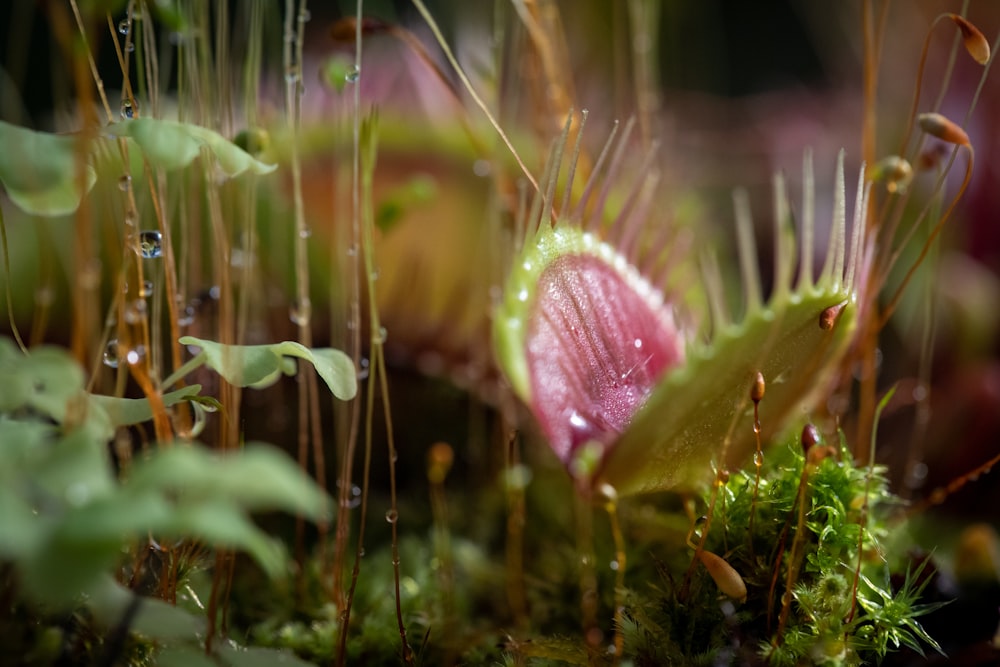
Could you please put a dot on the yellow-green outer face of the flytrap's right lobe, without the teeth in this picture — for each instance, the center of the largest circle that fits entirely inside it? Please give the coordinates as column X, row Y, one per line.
column 705, row 402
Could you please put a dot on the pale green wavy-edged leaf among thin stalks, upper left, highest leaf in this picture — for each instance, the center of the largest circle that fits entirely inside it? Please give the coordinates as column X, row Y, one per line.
column 171, row 145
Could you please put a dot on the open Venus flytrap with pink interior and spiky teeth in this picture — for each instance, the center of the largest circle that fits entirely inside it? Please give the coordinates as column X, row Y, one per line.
column 625, row 390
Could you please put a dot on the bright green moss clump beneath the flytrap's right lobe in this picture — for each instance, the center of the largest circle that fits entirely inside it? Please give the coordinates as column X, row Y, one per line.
column 827, row 622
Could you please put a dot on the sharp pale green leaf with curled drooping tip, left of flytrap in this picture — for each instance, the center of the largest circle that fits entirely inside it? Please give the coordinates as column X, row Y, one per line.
column 261, row 365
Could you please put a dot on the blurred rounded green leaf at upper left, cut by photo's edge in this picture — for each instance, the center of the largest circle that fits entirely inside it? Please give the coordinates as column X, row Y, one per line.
column 44, row 174
